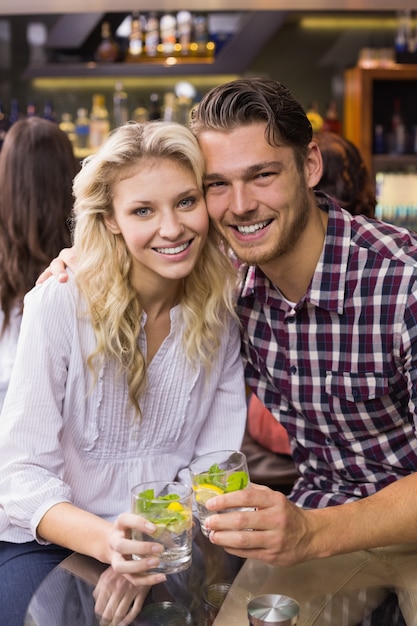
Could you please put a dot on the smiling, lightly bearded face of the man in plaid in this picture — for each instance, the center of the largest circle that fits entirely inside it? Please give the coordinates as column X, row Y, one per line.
column 256, row 196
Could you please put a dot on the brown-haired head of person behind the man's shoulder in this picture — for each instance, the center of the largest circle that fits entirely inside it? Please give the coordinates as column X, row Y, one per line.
column 345, row 176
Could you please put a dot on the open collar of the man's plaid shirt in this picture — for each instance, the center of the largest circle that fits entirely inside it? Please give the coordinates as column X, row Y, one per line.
column 327, row 287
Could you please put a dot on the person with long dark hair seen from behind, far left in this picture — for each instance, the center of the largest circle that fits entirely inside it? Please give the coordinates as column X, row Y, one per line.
column 37, row 167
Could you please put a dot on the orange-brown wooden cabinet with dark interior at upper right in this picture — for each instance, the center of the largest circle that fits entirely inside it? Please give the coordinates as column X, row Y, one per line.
column 370, row 97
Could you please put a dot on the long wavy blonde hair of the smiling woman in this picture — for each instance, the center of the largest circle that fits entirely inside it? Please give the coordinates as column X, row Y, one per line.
column 104, row 262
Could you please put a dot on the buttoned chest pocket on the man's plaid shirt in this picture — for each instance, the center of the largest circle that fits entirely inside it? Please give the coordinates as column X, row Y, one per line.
column 359, row 404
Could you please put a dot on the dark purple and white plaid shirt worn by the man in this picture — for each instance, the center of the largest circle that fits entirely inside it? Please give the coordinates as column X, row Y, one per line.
column 339, row 370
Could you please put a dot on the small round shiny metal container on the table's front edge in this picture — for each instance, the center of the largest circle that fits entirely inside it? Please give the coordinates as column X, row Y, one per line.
column 273, row 609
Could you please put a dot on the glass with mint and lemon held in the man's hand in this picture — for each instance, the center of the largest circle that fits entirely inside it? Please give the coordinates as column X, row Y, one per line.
column 216, row 473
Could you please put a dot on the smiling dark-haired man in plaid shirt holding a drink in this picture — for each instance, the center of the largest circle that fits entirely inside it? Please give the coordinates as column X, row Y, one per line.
column 328, row 308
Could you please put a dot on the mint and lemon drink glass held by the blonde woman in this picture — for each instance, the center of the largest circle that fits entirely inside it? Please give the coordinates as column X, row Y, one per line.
column 168, row 505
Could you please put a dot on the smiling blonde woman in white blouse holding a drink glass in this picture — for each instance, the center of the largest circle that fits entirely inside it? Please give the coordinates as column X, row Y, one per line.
column 122, row 375
